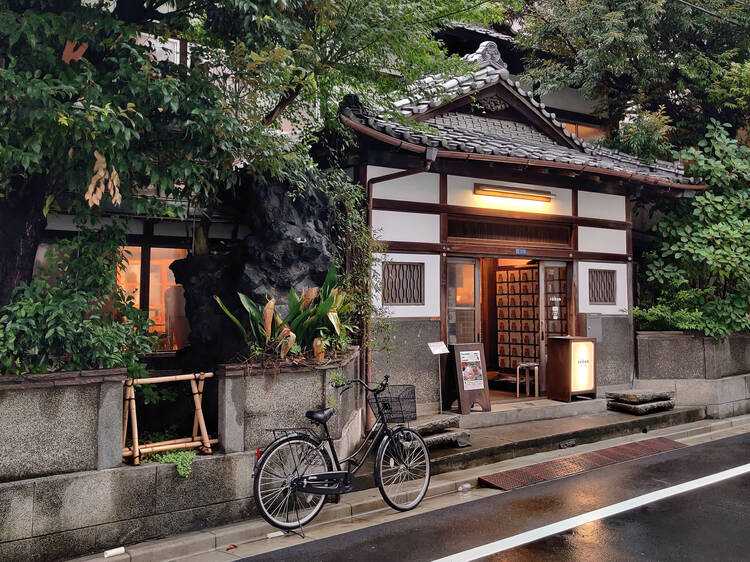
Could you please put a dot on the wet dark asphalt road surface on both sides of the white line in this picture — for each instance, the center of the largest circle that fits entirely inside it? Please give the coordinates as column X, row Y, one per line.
column 710, row 523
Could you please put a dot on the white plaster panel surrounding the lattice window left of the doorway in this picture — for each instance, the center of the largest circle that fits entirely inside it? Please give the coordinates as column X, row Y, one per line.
column 431, row 306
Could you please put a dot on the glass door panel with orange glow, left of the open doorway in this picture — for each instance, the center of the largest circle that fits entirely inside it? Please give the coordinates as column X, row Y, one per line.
column 463, row 299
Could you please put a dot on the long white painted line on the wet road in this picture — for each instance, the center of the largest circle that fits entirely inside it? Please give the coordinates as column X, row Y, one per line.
column 601, row 513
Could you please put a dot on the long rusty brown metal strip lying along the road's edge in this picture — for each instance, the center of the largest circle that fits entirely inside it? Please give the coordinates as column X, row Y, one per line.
column 560, row 468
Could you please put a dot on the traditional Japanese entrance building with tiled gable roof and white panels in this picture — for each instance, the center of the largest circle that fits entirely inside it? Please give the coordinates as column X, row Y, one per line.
column 501, row 225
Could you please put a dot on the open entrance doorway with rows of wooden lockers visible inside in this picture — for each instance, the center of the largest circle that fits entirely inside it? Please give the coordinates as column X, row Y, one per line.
column 511, row 306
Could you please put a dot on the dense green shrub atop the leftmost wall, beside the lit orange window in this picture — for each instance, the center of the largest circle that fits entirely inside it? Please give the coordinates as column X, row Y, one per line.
column 74, row 315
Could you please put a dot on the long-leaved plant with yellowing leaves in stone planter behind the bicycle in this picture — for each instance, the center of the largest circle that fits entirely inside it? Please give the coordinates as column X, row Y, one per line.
column 316, row 314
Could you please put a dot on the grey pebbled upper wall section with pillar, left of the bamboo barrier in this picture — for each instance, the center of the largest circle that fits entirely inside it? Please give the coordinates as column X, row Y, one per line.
column 60, row 422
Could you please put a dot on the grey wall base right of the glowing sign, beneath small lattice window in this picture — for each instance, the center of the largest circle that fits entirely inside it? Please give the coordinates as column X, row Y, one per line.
column 614, row 348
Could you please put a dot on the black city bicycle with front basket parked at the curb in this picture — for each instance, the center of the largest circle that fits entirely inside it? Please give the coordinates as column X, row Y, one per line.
column 296, row 472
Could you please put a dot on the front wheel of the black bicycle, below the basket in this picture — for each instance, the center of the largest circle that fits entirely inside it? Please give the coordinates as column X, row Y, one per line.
column 402, row 469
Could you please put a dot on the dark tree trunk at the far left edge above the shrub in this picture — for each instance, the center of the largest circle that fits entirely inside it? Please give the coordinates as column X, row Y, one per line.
column 22, row 224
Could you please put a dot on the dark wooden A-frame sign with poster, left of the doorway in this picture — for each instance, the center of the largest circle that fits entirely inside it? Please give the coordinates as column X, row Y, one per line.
column 471, row 376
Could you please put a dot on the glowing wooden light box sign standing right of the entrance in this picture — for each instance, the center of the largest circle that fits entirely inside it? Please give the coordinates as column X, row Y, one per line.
column 571, row 367
